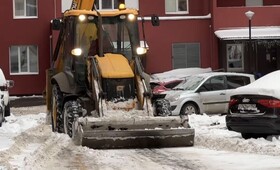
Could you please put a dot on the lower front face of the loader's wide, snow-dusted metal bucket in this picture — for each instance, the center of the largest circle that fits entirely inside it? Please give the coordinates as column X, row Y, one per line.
column 139, row 139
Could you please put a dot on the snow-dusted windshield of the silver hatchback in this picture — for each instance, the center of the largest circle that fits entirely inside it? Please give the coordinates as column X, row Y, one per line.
column 189, row 84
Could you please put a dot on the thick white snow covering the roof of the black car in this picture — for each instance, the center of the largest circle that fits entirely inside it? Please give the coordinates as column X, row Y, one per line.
column 266, row 85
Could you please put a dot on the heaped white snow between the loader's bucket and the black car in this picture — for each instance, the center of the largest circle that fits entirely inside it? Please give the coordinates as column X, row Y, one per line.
column 211, row 132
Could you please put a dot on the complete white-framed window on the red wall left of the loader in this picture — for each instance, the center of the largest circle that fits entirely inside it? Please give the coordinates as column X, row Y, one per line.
column 24, row 59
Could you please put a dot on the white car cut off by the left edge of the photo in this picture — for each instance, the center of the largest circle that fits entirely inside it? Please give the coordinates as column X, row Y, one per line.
column 4, row 96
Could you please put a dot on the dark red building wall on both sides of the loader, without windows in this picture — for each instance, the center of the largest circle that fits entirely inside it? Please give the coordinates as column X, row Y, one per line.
column 224, row 14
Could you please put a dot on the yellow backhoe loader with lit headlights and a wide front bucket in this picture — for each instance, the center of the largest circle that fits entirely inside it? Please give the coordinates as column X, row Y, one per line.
column 97, row 91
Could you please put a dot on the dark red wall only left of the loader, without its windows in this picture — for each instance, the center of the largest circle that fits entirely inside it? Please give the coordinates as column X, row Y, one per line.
column 27, row 32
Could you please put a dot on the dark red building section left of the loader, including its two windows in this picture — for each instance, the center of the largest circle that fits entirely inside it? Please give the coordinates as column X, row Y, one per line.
column 24, row 43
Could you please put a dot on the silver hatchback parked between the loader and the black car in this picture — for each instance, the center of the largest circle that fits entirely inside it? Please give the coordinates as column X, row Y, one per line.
column 206, row 93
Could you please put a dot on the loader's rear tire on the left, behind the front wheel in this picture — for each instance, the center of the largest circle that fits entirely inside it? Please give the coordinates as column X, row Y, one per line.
column 57, row 117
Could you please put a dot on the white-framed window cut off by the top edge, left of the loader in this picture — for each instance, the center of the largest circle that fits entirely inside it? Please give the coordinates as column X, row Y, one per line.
column 25, row 8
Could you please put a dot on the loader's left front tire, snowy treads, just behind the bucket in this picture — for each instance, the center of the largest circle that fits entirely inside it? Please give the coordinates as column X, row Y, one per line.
column 71, row 109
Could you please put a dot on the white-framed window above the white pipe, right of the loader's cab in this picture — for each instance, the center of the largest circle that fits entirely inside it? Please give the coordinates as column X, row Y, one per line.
column 176, row 6
